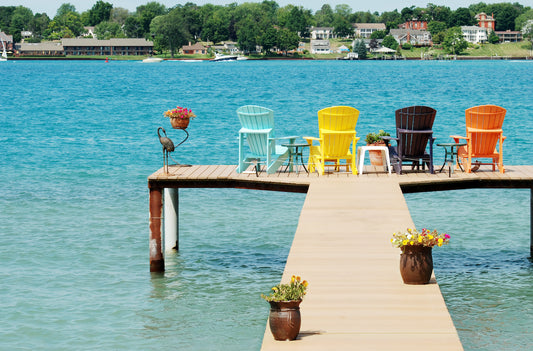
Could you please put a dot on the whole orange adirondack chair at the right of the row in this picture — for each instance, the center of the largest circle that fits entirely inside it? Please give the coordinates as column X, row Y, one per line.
column 484, row 137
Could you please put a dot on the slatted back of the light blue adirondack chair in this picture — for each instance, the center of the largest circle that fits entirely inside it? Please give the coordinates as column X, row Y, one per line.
column 257, row 118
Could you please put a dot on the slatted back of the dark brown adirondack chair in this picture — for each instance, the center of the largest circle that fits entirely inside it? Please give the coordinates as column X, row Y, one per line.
column 414, row 118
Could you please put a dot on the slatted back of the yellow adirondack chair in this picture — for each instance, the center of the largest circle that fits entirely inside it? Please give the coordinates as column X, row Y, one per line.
column 337, row 118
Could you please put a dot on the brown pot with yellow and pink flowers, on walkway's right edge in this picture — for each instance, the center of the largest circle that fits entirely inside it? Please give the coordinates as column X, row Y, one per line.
column 416, row 260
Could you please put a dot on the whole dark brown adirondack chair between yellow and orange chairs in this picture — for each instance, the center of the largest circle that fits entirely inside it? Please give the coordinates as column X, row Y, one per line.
column 413, row 134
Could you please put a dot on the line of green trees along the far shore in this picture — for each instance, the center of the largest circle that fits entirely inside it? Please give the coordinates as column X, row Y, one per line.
column 264, row 24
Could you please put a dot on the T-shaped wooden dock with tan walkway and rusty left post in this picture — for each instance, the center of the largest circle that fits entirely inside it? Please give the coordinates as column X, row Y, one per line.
column 356, row 298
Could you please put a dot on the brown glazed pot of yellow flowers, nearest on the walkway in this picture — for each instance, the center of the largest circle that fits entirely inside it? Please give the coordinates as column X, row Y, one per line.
column 284, row 300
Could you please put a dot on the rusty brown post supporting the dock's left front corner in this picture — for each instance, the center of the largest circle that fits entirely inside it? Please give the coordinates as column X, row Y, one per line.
column 157, row 263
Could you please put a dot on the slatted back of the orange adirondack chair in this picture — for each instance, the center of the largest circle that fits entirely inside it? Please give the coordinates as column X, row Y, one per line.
column 484, row 117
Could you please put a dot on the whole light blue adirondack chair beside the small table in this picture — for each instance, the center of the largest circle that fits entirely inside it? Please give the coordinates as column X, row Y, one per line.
column 258, row 132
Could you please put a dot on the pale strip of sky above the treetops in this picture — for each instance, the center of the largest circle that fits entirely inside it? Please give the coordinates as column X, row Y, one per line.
column 50, row 6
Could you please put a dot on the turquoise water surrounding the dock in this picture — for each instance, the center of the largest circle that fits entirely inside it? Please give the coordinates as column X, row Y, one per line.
column 78, row 140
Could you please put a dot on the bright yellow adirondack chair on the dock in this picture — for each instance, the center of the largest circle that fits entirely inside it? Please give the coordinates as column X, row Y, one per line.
column 336, row 126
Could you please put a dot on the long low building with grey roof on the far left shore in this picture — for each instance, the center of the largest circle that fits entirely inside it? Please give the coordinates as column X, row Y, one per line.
column 117, row 46
